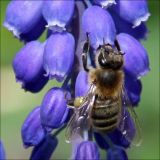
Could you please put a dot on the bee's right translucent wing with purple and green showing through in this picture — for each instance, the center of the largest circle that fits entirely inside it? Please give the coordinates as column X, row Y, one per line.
column 130, row 126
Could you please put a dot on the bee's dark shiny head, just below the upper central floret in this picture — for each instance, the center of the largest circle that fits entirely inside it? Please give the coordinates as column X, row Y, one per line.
column 109, row 58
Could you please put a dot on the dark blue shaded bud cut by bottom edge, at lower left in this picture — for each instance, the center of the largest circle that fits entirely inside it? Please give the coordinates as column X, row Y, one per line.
column 45, row 149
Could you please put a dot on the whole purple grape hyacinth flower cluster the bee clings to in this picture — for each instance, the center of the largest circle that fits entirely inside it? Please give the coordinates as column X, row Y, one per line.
column 59, row 58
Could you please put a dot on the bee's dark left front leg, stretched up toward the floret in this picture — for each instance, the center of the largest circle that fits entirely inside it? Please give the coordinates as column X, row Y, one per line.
column 86, row 48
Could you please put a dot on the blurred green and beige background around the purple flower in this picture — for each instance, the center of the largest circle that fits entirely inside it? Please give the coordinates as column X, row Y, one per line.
column 16, row 104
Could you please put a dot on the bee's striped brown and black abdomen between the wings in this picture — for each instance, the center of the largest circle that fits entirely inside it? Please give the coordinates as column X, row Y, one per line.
column 105, row 115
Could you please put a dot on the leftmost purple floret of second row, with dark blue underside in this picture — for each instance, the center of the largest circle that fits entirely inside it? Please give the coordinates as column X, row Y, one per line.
column 28, row 66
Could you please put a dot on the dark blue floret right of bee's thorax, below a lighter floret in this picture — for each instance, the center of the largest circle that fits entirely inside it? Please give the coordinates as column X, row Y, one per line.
column 133, row 88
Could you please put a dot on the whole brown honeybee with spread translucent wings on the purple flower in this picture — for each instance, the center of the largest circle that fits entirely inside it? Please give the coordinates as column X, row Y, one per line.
column 106, row 106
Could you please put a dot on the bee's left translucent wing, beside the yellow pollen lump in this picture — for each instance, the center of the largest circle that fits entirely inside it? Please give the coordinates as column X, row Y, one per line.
column 80, row 120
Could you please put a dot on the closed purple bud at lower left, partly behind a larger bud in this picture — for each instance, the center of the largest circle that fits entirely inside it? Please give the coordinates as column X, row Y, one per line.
column 32, row 131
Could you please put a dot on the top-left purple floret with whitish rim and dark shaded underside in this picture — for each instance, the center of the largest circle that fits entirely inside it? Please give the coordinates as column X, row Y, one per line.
column 24, row 19
